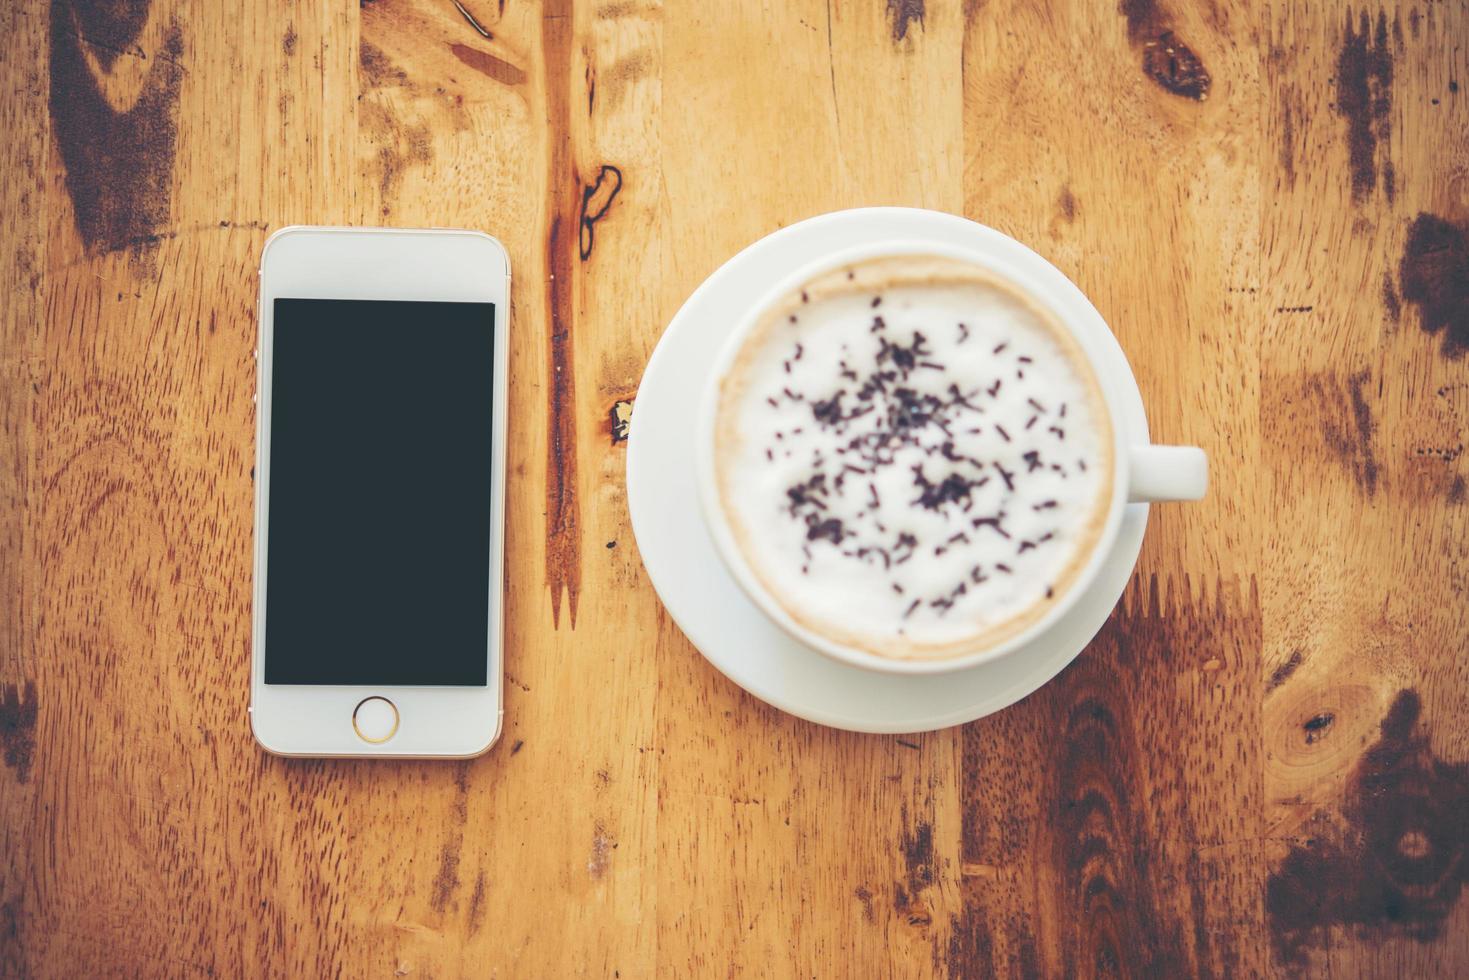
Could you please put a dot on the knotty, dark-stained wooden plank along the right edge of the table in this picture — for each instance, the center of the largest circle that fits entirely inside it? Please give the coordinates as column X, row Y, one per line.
column 1364, row 400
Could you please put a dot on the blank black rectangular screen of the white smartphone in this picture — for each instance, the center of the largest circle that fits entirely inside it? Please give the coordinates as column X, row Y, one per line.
column 380, row 496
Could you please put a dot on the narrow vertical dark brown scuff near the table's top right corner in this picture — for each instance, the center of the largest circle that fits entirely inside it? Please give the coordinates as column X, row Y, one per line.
column 1365, row 98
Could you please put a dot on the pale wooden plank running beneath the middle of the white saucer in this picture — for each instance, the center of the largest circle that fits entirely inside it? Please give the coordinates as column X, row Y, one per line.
column 784, row 846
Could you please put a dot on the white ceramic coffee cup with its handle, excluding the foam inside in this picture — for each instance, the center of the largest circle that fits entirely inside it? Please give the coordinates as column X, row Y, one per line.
column 1142, row 472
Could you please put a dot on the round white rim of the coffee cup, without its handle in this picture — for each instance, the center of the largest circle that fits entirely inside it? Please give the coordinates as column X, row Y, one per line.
column 718, row 522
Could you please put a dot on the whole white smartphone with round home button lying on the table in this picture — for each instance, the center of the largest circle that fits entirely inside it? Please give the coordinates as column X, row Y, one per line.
column 380, row 493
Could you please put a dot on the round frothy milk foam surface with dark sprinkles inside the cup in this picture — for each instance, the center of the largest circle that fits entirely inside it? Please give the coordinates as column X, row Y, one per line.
column 912, row 464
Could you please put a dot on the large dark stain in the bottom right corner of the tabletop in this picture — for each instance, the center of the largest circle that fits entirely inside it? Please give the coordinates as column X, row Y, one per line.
column 1398, row 865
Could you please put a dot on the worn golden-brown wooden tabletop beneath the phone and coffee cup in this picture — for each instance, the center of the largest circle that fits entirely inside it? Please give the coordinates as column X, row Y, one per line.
column 1257, row 769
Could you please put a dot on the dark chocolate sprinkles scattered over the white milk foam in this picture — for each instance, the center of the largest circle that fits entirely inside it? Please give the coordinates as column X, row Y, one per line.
column 891, row 383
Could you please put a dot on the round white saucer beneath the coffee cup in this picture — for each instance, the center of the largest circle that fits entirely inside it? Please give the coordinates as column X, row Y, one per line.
column 691, row 578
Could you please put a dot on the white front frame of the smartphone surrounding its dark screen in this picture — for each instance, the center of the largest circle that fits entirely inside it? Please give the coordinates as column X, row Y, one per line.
column 380, row 264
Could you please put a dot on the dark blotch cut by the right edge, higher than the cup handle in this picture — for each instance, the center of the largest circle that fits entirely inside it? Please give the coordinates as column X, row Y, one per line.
column 1434, row 277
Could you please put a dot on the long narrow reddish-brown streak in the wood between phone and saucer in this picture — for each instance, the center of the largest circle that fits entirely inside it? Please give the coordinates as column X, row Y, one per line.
column 563, row 552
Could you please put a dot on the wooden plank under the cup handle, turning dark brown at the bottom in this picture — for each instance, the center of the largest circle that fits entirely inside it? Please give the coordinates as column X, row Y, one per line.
column 1088, row 843
